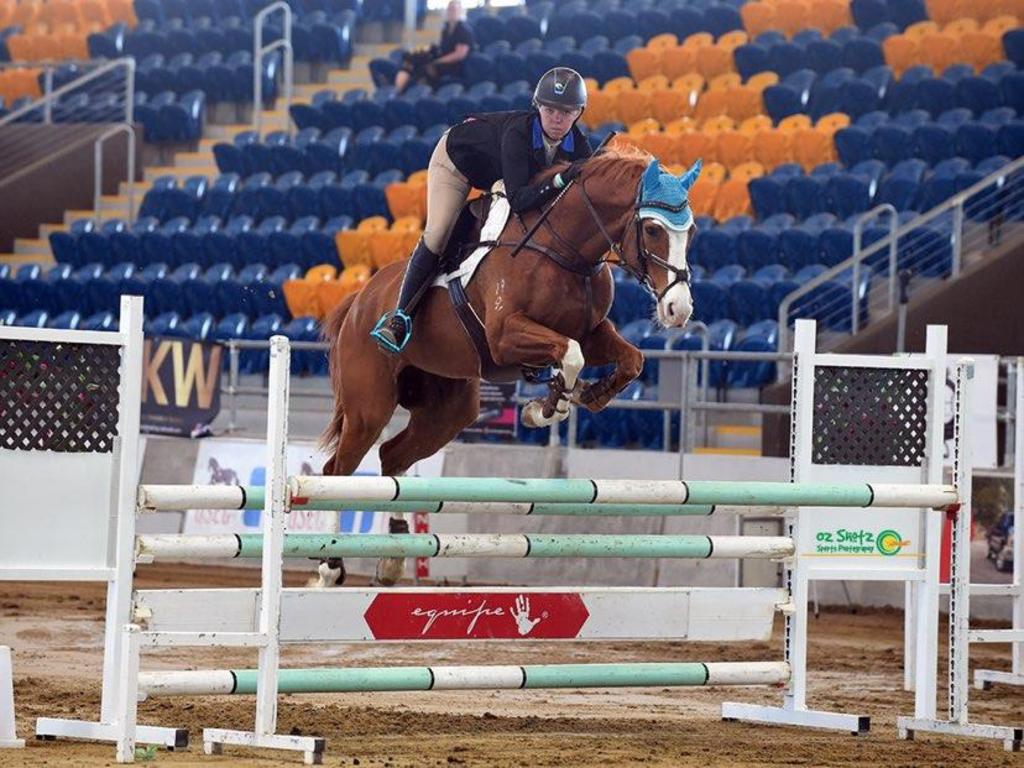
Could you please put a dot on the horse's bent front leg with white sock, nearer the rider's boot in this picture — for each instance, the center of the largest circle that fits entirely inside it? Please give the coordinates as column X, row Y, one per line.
column 522, row 342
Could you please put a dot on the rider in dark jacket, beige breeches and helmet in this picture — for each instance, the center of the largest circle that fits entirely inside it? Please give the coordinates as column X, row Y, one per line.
column 509, row 146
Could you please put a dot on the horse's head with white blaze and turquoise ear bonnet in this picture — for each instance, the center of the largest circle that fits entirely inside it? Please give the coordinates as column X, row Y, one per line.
column 658, row 254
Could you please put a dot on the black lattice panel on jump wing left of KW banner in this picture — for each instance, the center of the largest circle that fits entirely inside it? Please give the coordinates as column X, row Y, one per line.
column 60, row 398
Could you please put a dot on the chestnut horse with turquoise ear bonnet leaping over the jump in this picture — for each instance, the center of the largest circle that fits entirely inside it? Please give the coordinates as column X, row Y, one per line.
column 541, row 298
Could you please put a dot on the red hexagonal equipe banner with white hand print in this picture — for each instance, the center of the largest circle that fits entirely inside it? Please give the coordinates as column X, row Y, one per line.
column 477, row 616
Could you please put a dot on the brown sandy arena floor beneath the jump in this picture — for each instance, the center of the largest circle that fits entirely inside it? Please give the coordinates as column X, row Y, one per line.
column 57, row 633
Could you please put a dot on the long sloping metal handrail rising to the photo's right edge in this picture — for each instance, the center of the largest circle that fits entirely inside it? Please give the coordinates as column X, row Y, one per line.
column 955, row 204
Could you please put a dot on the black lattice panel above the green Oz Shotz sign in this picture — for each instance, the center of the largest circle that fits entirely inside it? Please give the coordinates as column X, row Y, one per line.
column 870, row 416
